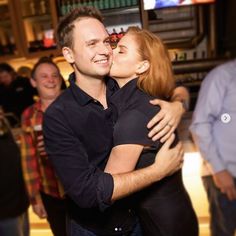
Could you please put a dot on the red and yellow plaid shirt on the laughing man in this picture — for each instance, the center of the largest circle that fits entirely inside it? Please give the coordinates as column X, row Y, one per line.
column 37, row 170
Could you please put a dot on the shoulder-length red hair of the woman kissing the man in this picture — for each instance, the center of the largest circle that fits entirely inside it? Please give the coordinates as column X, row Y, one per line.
column 158, row 80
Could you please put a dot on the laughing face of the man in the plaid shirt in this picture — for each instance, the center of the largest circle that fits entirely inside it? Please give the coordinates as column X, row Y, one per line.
column 47, row 81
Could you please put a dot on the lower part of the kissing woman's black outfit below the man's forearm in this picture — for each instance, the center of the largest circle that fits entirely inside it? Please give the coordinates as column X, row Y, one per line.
column 165, row 209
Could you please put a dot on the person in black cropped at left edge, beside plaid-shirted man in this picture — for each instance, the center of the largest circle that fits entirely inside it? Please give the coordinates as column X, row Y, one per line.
column 13, row 198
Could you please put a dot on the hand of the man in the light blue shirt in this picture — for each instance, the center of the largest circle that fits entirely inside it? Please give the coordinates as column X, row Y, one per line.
column 225, row 182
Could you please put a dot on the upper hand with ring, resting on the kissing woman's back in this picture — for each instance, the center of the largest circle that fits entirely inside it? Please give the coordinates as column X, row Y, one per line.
column 166, row 121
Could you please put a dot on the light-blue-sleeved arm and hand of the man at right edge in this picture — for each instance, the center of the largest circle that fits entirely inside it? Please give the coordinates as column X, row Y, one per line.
column 206, row 113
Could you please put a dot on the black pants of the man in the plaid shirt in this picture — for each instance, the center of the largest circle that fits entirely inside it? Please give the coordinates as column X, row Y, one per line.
column 56, row 211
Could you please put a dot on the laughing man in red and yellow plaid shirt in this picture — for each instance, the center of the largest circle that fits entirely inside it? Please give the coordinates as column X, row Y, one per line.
column 41, row 182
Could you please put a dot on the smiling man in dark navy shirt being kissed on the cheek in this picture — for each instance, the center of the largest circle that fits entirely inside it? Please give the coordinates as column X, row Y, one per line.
column 78, row 129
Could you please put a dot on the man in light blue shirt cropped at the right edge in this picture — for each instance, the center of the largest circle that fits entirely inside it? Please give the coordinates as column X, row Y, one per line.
column 213, row 129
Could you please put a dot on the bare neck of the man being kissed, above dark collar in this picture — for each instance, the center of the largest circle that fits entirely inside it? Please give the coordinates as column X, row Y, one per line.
column 94, row 87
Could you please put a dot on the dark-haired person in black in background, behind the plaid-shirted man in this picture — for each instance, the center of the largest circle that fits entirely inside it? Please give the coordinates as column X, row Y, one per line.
column 16, row 92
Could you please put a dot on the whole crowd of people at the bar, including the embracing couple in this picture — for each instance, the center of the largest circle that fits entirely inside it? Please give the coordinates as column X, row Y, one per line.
column 103, row 157
